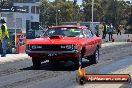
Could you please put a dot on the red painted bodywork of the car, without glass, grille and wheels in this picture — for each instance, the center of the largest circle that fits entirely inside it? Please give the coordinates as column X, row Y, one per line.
column 89, row 44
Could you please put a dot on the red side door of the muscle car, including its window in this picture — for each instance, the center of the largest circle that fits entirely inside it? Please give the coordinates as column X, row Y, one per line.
column 90, row 42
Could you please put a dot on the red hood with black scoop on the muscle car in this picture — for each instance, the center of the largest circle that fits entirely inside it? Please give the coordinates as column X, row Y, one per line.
column 55, row 40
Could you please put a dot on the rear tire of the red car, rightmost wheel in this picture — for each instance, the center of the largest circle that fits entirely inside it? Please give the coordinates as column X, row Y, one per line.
column 95, row 57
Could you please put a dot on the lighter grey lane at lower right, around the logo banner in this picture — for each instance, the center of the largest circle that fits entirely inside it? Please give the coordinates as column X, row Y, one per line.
column 68, row 80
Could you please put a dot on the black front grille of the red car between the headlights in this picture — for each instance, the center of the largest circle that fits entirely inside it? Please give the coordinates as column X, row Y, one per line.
column 52, row 47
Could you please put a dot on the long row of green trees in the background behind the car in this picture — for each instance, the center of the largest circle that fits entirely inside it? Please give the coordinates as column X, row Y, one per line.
column 115, row 11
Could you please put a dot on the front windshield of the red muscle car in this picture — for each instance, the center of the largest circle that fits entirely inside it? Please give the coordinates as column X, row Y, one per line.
column 70, row 32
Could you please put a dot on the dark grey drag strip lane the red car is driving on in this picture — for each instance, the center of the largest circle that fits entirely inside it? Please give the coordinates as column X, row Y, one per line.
column 24, row 76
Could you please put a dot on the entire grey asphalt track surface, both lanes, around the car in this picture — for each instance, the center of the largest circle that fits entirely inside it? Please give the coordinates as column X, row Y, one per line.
column 20, row 74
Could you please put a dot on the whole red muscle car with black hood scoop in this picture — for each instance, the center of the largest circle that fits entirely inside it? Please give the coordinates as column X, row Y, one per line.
column 64, row 43
